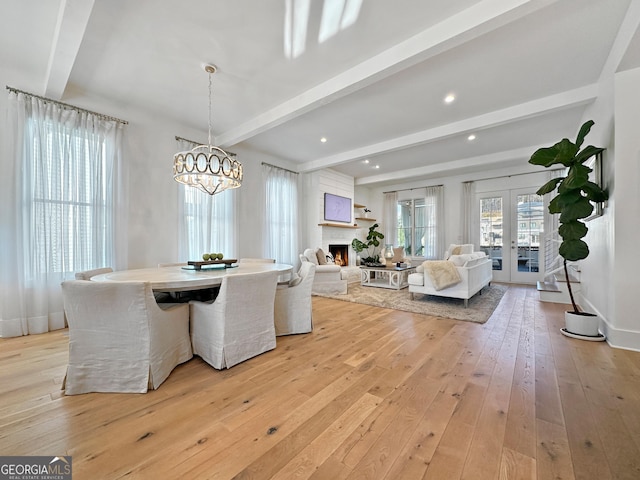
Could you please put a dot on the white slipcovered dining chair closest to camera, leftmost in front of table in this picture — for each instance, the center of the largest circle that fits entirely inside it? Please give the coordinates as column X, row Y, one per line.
column 120, row 339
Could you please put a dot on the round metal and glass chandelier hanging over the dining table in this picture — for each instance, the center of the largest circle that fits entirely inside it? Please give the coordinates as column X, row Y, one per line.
column 206, row 167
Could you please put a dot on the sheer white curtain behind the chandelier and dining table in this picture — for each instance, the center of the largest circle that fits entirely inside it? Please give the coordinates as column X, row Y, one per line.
column 207, row 223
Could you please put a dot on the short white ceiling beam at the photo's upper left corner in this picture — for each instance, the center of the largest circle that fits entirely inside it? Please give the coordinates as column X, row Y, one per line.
column 73, row 18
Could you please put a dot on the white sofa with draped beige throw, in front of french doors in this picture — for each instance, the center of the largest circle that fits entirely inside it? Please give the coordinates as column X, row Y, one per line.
column 475, row 270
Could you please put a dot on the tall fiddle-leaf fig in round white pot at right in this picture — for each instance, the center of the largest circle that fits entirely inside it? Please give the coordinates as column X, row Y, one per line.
column 575, row 195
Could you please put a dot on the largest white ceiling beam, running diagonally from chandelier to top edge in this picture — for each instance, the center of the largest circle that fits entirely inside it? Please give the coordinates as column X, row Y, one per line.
column 481, row 18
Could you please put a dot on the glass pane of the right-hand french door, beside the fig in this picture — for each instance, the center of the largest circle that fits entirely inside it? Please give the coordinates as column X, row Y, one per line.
column 530, row 228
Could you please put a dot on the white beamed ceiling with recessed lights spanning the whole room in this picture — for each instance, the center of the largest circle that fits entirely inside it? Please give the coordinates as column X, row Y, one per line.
column 371, row 78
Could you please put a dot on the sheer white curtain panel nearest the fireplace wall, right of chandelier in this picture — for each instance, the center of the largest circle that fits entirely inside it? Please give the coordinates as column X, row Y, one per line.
column 281, row 216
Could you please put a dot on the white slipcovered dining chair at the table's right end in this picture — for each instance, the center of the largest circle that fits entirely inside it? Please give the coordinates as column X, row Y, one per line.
column 293, row 303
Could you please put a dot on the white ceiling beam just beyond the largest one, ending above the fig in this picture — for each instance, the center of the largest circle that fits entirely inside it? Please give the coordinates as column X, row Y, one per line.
column 560, row 101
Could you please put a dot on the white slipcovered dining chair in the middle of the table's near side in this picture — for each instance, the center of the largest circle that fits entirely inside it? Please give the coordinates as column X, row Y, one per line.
column 238, row 324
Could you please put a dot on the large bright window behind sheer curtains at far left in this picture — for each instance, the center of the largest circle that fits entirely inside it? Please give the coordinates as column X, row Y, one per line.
column 68, row 206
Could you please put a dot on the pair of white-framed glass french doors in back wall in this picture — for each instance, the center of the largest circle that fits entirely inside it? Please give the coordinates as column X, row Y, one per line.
column 511, row 226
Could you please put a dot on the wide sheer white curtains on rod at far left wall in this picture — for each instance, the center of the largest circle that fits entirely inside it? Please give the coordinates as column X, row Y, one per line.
column 64, row 208
